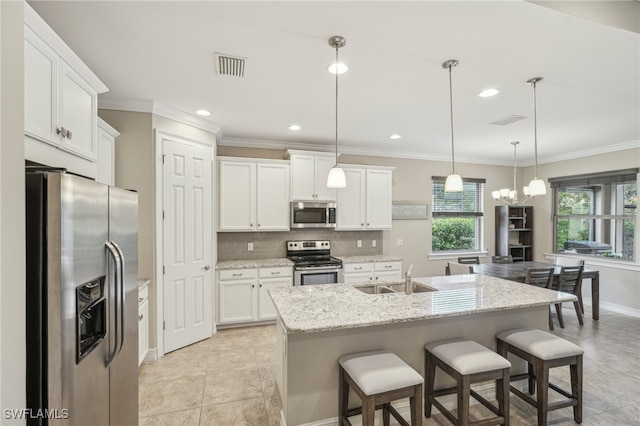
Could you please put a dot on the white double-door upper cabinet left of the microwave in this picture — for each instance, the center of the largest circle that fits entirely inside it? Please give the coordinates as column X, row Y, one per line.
column 254, row 196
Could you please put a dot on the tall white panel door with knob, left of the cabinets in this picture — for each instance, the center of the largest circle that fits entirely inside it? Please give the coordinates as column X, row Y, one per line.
column 188, row 243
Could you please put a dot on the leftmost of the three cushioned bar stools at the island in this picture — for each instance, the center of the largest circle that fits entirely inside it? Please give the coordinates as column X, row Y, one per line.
column 379, row 377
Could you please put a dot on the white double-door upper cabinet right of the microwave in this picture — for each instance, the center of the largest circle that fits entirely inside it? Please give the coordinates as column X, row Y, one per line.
column 366, row 201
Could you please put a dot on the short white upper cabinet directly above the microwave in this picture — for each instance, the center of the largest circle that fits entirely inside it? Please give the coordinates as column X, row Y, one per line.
column 309, row 172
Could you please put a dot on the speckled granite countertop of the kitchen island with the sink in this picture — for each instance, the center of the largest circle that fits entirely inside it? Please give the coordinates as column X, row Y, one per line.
column 308, row 309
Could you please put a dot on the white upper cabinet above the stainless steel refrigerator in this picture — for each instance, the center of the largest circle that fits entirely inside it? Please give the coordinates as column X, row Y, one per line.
column 61, row 101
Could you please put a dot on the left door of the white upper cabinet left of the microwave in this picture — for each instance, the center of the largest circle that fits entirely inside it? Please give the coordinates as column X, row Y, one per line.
column 237, row 196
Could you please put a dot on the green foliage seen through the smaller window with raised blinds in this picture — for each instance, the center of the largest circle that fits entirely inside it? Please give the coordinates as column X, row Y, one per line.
column 453, row 234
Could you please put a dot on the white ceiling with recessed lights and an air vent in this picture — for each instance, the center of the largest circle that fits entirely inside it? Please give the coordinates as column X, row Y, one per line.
column 161, row 51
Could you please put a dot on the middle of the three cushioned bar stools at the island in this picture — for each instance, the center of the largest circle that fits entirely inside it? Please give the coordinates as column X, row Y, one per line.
column 467, row 362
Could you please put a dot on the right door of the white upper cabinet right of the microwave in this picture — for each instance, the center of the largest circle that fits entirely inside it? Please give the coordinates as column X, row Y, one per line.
column 378, row 199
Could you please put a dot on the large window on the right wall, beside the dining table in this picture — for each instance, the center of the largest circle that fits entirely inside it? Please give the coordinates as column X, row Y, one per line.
column 595, row 214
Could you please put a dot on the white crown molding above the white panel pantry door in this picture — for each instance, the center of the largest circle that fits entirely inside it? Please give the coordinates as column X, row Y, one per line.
column 162, row 110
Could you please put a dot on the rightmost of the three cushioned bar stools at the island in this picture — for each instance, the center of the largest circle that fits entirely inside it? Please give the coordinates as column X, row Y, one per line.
column 543, row 351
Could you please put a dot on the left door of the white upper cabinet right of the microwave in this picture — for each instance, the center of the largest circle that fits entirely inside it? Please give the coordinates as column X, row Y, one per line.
column 351, row 201
